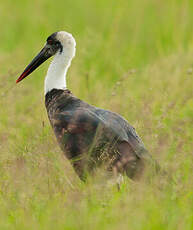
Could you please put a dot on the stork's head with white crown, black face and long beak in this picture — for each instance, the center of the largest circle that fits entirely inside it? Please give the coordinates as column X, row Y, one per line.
column 58, row 43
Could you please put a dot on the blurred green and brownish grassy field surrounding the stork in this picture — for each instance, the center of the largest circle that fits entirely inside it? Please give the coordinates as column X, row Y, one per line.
column 134, row 57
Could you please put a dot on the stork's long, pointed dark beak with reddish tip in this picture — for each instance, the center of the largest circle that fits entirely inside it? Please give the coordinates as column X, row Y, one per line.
column 43, row 55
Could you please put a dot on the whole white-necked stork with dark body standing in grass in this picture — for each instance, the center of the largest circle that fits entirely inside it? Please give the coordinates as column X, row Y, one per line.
column 88, row 136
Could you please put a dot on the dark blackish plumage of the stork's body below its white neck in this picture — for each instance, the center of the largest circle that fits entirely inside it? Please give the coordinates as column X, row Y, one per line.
column 90, row 136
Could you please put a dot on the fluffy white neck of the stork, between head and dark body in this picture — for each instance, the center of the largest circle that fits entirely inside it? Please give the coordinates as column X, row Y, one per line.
column 56, row 75
